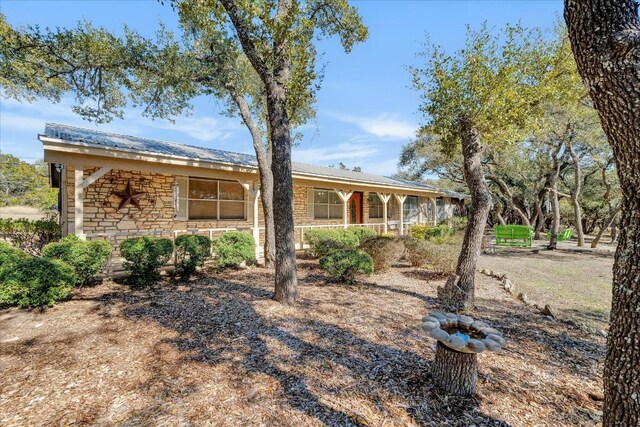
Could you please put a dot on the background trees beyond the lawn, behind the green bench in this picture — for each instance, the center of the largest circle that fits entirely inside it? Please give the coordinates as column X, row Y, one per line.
column 563, row 160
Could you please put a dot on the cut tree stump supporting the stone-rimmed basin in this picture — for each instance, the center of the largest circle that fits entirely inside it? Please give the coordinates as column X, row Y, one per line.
column 454, row 372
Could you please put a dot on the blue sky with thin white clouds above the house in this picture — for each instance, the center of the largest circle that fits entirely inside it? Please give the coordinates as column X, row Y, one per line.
column 366, row 109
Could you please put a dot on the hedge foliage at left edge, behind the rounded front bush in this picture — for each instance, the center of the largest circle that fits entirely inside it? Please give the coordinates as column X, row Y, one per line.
column 30, row 235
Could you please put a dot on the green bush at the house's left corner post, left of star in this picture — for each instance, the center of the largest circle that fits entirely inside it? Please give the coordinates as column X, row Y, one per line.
column 87, row 257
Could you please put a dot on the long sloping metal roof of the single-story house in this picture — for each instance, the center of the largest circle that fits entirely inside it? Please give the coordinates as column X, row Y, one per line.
column 74, row 135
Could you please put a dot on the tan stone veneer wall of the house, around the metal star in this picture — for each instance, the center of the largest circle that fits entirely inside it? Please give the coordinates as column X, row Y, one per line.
column 101, row 215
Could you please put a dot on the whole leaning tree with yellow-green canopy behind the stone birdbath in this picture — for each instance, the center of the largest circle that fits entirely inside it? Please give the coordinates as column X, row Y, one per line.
column 483, row 97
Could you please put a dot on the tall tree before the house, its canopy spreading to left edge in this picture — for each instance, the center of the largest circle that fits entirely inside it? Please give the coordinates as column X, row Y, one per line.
column 258, row 55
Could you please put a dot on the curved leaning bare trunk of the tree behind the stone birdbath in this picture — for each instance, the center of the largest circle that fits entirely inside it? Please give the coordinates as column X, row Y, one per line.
column 459, row 291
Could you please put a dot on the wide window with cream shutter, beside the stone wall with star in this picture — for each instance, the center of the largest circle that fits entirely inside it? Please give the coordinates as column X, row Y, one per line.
column 200, row 198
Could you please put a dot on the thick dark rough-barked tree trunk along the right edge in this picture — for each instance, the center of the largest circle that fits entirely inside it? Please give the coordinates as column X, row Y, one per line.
column 605, row 38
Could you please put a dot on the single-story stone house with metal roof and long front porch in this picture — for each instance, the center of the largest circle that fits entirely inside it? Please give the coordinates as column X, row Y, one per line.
column 118, row 186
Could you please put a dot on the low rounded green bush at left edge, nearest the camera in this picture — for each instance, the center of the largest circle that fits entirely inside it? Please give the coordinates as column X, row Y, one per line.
column 35, row 282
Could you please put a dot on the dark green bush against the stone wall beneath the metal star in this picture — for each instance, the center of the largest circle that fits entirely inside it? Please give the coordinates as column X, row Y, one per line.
column 144, row 256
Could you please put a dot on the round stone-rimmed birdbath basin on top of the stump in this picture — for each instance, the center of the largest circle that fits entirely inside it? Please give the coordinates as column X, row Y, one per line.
column 451, row 329
